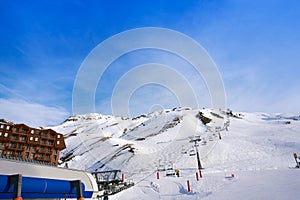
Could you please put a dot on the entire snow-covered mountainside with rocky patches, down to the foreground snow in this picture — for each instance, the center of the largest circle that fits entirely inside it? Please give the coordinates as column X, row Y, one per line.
column 254, row 143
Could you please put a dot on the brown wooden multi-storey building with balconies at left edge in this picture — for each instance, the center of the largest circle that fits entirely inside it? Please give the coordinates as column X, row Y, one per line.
column 22, row 141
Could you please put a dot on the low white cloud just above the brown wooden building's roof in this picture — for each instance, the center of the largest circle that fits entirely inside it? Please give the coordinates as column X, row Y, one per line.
column 32, row 114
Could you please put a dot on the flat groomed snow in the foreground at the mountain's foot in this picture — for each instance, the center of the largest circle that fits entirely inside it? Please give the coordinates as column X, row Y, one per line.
column 247, row 185
